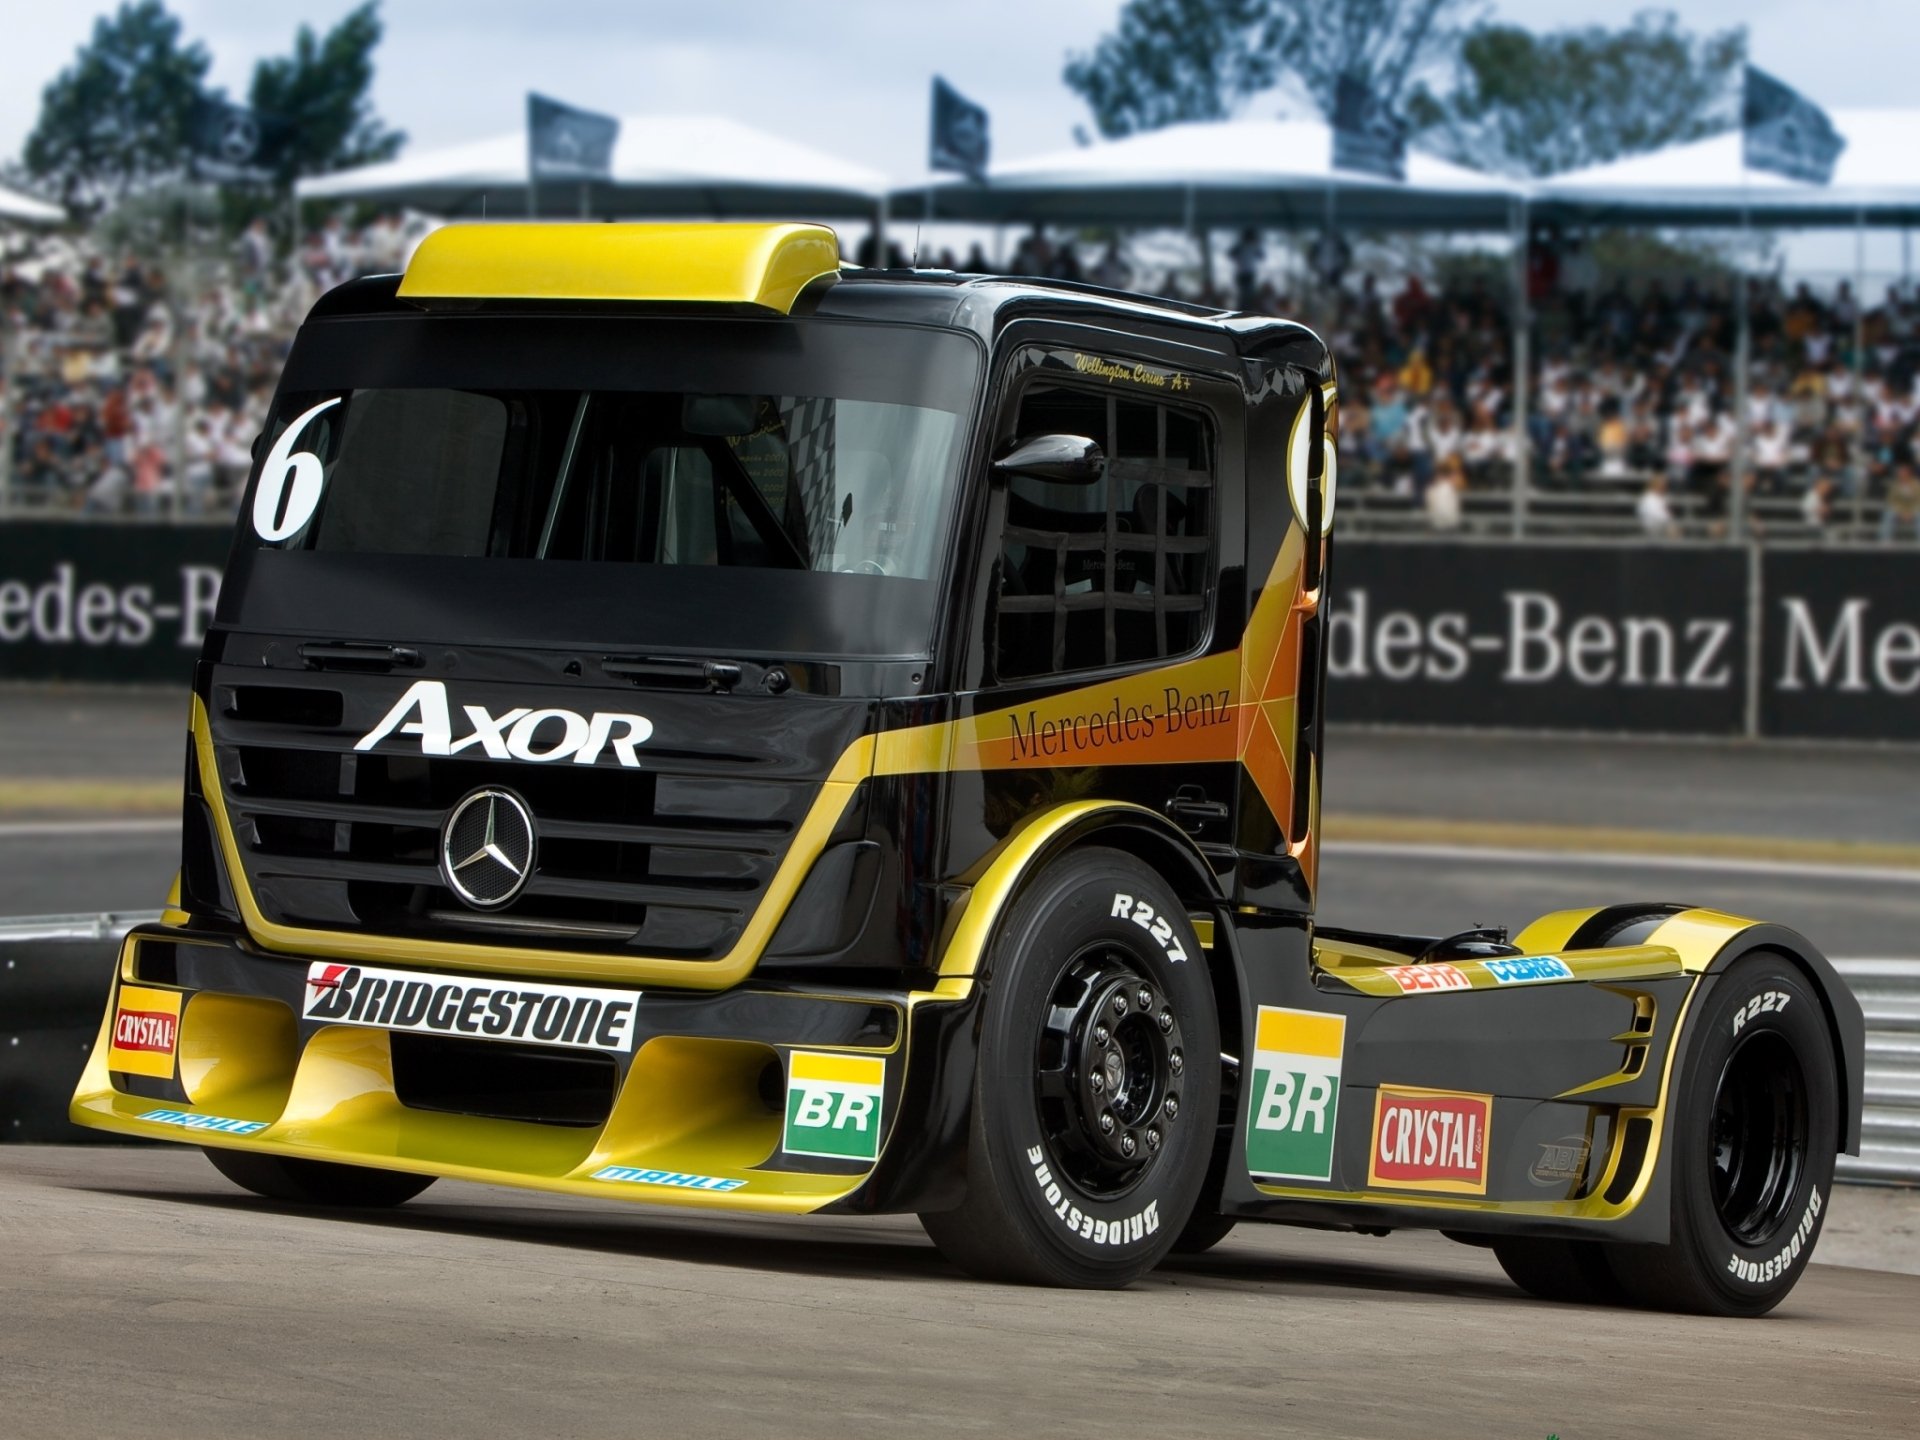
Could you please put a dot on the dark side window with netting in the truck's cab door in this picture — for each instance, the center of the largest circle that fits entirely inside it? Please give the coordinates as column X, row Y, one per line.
column 1115, row 573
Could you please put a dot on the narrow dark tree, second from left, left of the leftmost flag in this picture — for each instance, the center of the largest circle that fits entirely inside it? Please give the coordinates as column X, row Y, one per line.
column 316, row 101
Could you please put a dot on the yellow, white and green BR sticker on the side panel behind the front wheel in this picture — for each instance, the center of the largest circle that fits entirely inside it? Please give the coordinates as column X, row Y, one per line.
column 1297, row 1095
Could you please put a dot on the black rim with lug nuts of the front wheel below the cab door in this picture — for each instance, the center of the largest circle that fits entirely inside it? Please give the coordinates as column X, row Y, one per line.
column 1111, row 1061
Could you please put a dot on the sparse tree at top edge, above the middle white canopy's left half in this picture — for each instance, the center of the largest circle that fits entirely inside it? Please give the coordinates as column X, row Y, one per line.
column 1182, row 60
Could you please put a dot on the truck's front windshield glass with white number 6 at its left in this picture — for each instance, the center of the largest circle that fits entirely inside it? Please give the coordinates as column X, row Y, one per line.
column 802, row 483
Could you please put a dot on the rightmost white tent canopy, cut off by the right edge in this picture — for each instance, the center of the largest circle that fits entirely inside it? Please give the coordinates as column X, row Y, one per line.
column 1708, row 183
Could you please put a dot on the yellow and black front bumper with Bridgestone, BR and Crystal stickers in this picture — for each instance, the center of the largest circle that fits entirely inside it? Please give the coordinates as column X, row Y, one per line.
column 775, row 1099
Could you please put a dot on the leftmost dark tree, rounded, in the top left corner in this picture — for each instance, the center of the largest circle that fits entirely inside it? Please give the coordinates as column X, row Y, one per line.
column 118, row 118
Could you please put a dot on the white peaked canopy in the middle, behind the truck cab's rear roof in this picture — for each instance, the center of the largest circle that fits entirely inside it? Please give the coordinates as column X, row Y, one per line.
column 1220, row 174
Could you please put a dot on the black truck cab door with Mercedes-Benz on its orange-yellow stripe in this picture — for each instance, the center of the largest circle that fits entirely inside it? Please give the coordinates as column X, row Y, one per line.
column 1103, row 646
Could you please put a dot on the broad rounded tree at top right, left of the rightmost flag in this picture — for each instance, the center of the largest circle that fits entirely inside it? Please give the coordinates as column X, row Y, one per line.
column 1543, row 105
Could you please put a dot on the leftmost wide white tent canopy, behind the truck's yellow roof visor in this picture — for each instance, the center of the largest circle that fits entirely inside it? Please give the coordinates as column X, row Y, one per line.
column 704, row 166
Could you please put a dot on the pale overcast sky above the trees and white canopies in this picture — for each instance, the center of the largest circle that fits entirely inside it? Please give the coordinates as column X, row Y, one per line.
column 844, row 76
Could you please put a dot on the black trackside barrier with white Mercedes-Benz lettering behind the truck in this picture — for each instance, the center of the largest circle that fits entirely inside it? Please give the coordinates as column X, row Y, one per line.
column 1623, row 638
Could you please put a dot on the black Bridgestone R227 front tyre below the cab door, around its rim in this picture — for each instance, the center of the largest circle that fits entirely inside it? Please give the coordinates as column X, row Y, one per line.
column 1028, row 965
